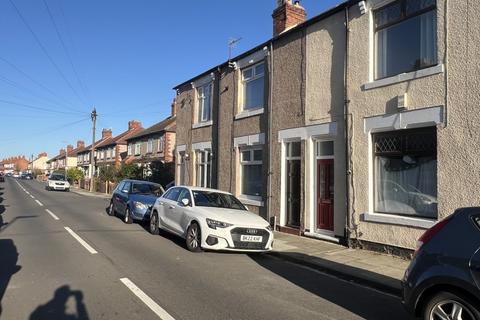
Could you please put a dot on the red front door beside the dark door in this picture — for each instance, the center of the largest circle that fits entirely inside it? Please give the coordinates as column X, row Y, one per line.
column 325, row 194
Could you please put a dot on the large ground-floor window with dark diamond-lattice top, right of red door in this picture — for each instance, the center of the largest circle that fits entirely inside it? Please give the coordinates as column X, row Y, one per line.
column 405, row 172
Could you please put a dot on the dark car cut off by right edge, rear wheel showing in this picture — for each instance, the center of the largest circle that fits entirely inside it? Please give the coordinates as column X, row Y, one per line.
column 443, row 279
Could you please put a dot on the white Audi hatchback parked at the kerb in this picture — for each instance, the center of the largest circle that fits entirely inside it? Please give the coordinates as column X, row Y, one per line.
column 210, row 219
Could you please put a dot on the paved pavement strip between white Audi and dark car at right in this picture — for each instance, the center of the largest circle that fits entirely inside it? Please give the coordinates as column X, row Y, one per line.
column 379, row 271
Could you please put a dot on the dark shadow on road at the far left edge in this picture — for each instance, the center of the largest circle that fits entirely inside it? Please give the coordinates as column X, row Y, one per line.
column 8, row 265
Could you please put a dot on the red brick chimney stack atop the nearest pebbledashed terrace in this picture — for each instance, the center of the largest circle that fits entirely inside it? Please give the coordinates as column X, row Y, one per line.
column 287, row 15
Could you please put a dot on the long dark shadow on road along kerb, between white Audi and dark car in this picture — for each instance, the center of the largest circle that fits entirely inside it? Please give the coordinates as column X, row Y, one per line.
column 364, row 302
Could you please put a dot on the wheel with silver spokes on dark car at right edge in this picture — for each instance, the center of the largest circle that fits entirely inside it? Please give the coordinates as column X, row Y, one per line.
column 450, row 305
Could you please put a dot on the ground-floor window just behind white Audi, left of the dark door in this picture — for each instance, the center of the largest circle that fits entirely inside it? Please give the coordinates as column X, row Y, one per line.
column 251, row 171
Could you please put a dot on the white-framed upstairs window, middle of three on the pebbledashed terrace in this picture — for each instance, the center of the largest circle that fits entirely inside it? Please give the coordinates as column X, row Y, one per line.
column 253, row 84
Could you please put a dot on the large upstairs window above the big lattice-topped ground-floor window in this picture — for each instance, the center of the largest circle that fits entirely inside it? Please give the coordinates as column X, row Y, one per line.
column 405, row 37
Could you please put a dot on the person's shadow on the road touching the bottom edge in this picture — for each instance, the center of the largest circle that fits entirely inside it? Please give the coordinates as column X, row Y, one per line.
column 56, row 308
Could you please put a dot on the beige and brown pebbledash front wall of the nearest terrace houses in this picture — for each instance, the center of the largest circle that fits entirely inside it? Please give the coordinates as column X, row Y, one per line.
column 322, row 77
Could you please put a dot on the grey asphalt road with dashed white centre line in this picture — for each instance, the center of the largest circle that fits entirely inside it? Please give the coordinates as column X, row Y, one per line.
column 76, row 262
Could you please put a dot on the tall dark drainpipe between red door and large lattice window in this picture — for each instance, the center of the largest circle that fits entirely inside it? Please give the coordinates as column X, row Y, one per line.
column 346, row 133
